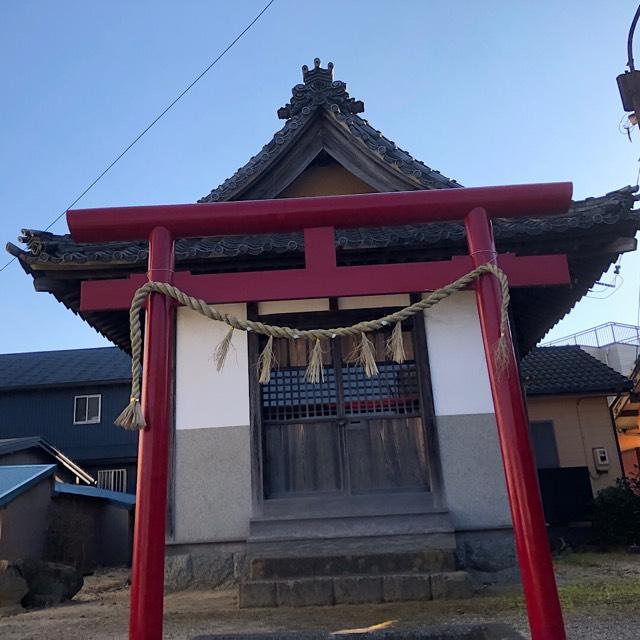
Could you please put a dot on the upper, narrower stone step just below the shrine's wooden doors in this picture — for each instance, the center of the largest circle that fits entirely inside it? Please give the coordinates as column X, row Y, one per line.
column 426, row 561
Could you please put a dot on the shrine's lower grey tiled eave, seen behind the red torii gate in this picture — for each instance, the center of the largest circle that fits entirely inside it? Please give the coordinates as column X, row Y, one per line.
column 584, row 216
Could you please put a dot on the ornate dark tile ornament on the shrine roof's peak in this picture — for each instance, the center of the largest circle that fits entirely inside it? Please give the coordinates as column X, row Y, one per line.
column 319, row 90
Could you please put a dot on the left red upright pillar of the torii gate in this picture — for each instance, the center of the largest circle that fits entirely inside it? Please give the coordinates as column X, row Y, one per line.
column 147, row 576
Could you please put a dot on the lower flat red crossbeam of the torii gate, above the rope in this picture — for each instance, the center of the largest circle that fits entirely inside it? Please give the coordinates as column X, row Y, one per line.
column 321, row 281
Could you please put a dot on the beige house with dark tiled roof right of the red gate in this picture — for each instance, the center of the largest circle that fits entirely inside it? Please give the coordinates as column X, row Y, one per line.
column 572, row 430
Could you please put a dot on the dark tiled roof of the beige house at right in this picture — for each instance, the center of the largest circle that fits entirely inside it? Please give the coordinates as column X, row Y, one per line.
column 568, row 370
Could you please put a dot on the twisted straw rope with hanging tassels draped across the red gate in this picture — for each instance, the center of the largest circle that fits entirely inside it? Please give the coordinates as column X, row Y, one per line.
column 132, row 417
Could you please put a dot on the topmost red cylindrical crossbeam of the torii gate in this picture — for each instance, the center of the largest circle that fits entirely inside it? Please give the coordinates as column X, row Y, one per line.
column 291, row 214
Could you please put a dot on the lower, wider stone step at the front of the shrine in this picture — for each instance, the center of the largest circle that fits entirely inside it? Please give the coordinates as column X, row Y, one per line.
column 356, row 589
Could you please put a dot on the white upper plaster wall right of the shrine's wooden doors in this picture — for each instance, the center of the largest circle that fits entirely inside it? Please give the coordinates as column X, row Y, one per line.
column 459, row 376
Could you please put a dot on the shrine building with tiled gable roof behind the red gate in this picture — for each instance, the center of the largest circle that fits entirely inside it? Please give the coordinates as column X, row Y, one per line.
column 407, row 460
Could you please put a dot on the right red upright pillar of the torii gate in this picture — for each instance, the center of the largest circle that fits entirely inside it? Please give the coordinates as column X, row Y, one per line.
column 532, row 544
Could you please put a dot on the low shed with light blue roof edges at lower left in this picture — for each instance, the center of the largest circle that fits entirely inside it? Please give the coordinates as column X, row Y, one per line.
column 43, row 518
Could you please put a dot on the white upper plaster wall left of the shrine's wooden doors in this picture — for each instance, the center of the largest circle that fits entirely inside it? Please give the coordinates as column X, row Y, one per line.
column 206, row 397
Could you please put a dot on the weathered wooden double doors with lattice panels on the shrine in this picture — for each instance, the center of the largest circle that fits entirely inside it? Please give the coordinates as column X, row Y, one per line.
column 347, row 435
